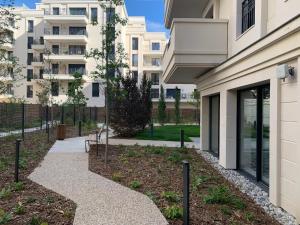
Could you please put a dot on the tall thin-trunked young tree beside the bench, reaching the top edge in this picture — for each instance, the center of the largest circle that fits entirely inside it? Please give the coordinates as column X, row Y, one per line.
column 111, row 57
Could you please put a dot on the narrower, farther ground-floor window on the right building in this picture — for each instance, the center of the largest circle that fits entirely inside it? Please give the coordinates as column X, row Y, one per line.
column 214, row 124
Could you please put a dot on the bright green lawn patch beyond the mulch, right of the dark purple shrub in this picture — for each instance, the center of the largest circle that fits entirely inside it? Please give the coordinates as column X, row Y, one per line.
column 170, row 133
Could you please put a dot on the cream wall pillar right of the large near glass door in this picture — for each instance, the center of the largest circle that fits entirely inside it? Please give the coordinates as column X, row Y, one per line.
column 275, row 143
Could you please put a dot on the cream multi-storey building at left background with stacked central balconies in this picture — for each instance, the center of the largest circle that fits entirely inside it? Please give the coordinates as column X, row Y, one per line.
column 51, row 42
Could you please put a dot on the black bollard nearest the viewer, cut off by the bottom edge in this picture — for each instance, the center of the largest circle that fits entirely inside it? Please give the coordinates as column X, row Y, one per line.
column 186, row 192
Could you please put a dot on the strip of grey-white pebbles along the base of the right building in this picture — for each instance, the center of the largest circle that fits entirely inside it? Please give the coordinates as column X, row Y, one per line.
column 251, row 189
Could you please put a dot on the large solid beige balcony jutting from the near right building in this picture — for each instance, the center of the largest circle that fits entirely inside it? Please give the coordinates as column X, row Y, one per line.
column 196, row 46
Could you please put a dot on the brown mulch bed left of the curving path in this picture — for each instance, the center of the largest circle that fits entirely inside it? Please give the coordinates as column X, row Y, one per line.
column 28, row 202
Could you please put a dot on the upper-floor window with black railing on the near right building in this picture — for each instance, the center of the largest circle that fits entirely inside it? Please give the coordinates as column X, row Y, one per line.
column 248, row 14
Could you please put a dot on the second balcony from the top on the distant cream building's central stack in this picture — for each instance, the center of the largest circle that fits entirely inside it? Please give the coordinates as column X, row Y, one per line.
column 66, row 36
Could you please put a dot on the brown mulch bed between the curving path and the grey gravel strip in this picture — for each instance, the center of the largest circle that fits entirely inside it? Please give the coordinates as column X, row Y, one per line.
column 159, row 170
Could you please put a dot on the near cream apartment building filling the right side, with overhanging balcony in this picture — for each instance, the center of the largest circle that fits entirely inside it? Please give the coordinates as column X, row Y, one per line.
column 244, row 57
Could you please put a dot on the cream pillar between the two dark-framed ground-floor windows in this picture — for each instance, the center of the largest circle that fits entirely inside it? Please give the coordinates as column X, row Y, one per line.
column 228, row 119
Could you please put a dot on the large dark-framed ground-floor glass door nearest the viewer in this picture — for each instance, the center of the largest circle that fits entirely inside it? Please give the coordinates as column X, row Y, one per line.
column 253, row 132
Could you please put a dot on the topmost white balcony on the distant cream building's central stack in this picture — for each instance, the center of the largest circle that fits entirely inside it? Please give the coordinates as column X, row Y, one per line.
column 63, row 18
